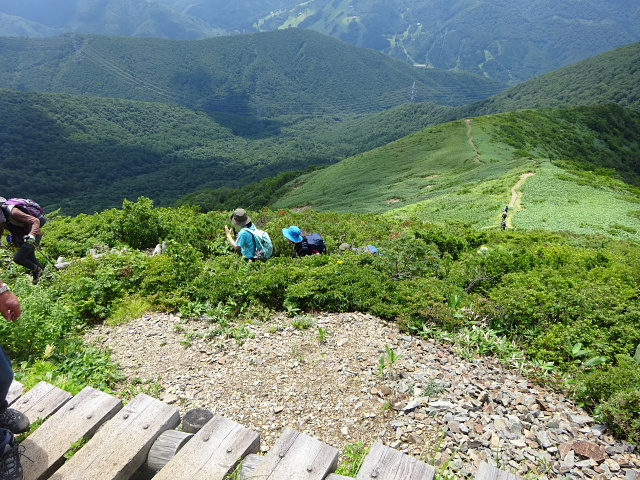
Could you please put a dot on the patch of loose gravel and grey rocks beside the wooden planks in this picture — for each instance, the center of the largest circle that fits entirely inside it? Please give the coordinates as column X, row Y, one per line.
column 429, row 402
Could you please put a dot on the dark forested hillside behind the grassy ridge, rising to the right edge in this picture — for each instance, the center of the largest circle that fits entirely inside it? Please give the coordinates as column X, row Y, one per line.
column 86, row 154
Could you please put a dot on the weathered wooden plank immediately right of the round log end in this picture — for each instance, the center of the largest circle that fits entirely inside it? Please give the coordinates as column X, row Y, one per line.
column 212, row 452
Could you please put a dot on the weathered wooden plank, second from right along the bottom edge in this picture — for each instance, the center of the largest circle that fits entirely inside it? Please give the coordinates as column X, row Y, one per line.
column 385, row 463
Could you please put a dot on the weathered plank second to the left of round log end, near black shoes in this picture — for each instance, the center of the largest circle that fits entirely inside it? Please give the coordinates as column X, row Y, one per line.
column 78, row 418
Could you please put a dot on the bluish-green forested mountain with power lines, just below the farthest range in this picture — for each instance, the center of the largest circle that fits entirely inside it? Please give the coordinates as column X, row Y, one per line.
column 261, row 75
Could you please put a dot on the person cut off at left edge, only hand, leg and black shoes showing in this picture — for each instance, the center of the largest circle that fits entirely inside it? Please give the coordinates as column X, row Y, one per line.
column 11, row 421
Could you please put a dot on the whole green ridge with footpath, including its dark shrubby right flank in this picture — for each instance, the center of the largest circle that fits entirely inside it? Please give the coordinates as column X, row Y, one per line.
column 469, row 170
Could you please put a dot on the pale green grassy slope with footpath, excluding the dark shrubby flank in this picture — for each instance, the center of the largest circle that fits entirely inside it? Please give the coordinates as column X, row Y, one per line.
column 456, row 173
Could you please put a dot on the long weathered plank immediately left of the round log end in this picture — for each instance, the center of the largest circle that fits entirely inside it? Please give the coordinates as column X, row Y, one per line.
column 121, row 446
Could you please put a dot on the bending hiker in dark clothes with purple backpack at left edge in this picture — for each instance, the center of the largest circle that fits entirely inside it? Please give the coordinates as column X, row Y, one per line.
column 23, row 218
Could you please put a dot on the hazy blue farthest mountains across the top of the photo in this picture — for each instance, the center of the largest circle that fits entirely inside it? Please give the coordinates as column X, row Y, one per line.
column 508, row 40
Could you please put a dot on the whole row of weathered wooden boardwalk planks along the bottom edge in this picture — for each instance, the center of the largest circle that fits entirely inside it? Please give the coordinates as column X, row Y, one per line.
column 120, row 439
